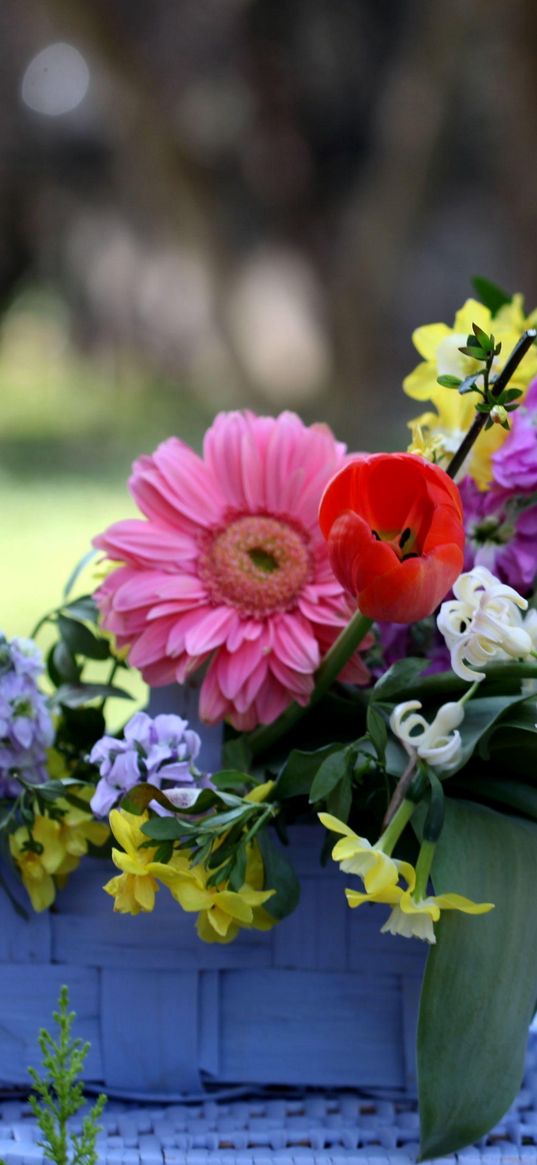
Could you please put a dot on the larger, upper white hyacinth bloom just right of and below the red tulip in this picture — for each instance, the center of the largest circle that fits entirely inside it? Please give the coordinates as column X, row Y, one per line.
column 484, row 623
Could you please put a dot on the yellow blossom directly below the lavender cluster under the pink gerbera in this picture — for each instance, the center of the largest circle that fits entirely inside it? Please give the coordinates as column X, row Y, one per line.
column 135, row 889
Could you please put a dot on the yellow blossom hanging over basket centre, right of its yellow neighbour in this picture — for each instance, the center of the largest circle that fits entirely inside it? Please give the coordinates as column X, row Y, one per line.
column 222, row 912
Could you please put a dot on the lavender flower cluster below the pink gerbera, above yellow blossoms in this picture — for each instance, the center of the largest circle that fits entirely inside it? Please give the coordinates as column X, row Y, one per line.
column 160, row 751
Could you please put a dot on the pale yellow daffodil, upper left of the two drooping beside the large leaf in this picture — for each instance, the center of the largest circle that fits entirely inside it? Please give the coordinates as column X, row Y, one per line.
column 357, row 856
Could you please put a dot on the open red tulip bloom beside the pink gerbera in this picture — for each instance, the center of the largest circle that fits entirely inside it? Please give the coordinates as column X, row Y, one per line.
column 394, row 526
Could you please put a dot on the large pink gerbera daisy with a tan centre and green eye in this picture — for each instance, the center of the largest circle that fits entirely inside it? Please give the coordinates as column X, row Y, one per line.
column 230, row 568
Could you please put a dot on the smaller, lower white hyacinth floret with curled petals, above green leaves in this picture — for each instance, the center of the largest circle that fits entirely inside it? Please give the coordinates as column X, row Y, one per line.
column 440, row 743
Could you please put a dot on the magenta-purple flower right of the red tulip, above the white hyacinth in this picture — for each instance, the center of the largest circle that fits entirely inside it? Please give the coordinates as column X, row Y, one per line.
column 500, row 534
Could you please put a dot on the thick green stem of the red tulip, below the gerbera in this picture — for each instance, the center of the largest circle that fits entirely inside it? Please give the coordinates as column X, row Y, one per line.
column 334, row 663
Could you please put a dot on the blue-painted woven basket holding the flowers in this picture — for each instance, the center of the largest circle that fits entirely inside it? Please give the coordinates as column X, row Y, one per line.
column 321, row 1000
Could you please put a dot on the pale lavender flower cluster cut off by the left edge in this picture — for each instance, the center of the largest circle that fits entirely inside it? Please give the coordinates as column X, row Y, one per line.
column 26, row 726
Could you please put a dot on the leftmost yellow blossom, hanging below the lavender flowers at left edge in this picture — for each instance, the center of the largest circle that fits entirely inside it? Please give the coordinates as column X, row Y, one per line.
column 38, row 870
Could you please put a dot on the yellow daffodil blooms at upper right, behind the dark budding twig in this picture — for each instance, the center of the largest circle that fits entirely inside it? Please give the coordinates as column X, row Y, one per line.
column 440, row 434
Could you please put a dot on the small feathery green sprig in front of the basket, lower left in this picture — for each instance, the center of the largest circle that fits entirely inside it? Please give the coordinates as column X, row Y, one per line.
column 59, row 1095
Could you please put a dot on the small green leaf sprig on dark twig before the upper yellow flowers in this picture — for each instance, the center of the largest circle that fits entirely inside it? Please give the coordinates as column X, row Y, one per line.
column 496, row 406
